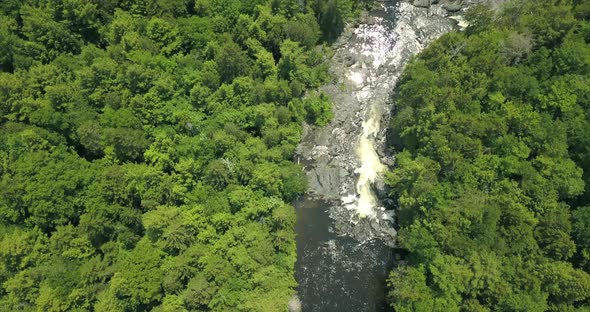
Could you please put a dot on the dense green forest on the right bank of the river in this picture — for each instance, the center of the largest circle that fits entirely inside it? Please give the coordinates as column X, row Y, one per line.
column 492, row 180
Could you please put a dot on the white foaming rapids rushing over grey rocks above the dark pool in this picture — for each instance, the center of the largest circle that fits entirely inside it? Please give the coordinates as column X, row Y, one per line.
column 379, row 47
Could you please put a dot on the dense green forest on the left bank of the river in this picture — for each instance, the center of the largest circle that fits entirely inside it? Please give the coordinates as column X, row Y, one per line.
column 146, row 150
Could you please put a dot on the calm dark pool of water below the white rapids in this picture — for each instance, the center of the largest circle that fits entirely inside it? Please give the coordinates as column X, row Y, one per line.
column 336, row 273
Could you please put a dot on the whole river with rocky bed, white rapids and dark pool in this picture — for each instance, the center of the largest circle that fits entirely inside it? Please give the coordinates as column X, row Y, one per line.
column 345, row 234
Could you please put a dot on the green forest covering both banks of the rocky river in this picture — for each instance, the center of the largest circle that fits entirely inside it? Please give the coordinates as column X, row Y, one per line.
column 146, row 155
